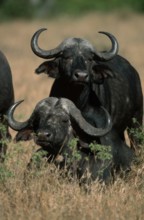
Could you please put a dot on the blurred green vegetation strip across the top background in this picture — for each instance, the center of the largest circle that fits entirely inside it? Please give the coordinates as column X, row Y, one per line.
column 12, row 9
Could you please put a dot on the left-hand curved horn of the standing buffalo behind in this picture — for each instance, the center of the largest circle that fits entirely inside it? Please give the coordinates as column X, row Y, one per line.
column 46, row 54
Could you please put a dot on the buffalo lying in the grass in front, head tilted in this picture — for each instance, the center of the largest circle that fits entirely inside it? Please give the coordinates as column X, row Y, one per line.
column 55, row 122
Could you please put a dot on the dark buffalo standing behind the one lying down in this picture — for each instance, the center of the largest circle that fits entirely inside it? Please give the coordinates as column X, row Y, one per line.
column 90, row 78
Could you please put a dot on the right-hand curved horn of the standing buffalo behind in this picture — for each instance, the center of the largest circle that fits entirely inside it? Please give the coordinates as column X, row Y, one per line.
column 104, row 56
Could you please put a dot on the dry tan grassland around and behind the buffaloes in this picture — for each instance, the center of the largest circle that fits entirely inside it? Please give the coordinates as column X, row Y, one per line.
column 44, row 195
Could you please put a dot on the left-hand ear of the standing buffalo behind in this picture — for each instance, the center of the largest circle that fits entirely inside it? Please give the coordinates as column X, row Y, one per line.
column 49, row 67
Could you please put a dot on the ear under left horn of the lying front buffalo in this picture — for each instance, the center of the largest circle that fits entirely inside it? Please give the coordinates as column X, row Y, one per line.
column 23, row 135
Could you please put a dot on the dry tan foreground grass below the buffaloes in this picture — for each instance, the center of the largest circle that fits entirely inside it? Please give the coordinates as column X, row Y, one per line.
column 44, row 194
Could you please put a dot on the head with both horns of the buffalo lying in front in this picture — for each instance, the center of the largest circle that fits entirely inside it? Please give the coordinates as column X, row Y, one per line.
column 54, row 120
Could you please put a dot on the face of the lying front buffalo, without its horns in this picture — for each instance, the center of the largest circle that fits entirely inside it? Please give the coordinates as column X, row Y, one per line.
column 52, row 130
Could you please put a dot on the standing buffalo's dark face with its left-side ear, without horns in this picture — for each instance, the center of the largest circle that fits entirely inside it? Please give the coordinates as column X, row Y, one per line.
column 74, row 64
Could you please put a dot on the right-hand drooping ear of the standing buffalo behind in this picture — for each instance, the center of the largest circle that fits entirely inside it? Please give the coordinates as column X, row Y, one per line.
column 102, row 72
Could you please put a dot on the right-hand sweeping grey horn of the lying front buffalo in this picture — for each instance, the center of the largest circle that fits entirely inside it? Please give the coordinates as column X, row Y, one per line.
column 75, row 114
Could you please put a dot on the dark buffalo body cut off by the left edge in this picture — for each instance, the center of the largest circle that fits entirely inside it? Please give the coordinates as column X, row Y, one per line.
column 6, row 100
